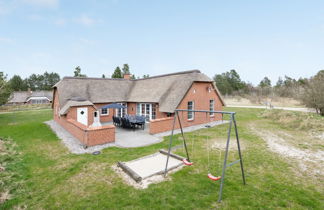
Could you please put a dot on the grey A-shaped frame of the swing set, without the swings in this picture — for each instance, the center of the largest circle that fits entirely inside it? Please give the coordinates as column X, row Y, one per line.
column 225, row 165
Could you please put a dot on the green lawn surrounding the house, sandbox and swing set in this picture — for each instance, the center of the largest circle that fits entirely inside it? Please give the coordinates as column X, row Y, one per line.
column 50, row 177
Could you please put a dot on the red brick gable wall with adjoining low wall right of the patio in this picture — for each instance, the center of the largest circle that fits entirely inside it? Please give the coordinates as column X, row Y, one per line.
column 199, row 94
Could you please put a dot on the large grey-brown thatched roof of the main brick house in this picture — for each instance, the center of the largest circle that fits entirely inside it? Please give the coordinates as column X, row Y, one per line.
column 167, row 90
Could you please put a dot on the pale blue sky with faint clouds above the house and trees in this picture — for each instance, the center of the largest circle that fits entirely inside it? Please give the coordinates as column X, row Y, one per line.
column 258, row 38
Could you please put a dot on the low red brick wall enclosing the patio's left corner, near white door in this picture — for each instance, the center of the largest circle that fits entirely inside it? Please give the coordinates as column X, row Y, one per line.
column 89, row 136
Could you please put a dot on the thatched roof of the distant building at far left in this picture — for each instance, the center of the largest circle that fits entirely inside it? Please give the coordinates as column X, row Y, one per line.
column 23, row 96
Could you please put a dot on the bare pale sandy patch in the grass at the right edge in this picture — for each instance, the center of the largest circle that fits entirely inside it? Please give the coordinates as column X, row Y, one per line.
column 308, row 161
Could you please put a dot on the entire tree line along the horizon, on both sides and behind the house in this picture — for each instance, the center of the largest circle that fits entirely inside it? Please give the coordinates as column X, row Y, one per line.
column 307, row 90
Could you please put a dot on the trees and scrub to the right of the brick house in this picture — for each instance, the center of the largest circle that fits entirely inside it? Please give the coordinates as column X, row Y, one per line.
column 310, row 91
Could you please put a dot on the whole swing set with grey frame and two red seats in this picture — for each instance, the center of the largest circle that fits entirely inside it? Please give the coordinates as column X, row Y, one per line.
column 187, row 161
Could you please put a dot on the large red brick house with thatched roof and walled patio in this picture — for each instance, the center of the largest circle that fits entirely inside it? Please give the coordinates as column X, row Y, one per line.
column 86, row 106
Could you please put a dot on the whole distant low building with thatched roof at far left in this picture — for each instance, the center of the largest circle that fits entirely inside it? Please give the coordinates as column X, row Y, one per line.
column 30, row 97
